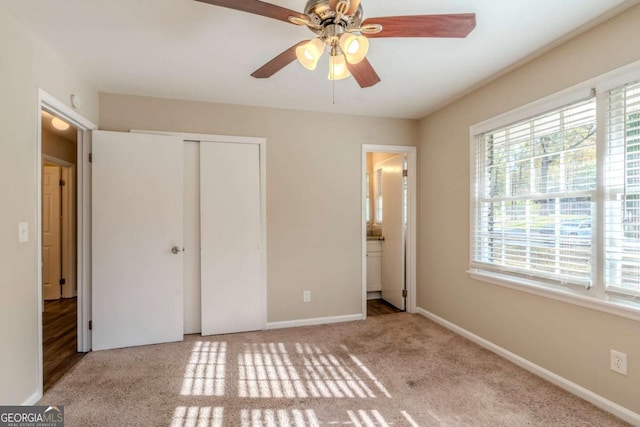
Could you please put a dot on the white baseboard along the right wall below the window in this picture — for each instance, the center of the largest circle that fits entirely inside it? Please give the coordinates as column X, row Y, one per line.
column 573, row 388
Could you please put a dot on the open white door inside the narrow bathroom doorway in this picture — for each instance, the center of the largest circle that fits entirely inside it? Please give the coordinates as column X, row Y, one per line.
column 393, row 246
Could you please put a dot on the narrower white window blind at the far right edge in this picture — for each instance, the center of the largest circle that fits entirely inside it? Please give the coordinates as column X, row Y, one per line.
column 622, row 191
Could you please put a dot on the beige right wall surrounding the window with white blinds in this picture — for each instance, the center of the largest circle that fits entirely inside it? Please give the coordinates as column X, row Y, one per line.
column 571, row 341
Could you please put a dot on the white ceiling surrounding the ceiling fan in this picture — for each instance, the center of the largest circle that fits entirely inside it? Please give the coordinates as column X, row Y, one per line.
column 191, row 50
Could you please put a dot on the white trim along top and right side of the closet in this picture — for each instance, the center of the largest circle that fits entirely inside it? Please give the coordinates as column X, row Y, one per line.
column 262, row 153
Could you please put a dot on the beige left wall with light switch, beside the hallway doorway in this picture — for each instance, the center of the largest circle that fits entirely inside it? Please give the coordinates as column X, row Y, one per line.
column 25, row 65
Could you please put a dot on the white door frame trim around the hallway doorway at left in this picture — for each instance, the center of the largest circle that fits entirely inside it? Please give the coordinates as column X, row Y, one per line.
column 56, row 107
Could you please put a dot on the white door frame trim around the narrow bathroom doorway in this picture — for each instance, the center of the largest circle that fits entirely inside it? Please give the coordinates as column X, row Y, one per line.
column 411, row 250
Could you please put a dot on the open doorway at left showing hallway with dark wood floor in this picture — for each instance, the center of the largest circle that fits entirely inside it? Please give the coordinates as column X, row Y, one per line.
column 59, row 141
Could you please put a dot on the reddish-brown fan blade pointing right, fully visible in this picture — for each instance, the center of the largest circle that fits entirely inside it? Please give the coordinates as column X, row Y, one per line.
column 452, row 25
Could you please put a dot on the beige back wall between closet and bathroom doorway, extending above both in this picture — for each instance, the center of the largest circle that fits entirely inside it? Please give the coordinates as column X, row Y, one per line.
column 313, row 190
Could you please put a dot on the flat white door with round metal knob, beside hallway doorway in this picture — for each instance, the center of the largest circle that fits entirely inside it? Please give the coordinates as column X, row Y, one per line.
column 137, row 229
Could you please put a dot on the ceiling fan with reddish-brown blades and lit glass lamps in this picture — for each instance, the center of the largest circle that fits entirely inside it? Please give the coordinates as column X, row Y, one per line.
column 341, row 30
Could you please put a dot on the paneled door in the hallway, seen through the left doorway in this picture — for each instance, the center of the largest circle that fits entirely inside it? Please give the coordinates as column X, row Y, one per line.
column 51, row 272
